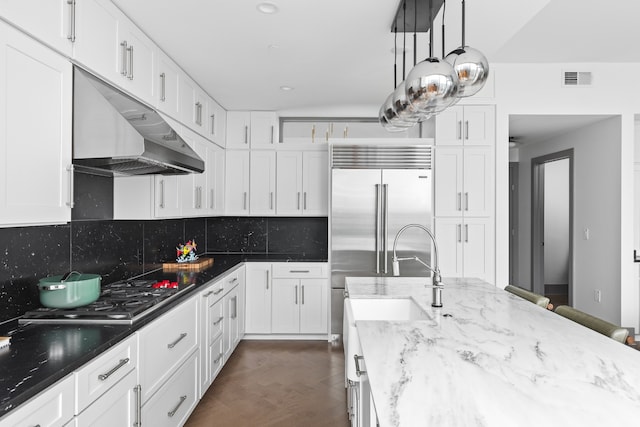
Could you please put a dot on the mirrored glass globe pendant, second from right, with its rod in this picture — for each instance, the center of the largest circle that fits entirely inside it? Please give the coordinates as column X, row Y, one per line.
column 432, row 85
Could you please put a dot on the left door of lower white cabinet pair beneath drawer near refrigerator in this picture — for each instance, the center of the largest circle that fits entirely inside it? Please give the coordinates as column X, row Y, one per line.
column 285, row 311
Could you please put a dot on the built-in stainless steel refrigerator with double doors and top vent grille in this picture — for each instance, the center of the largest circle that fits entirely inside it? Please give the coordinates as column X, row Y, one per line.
column 375, row 191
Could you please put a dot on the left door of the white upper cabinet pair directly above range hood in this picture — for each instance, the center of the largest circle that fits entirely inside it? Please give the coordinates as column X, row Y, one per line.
column 98, row 46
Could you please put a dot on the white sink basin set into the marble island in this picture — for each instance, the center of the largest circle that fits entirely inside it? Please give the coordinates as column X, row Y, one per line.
column 392, row 309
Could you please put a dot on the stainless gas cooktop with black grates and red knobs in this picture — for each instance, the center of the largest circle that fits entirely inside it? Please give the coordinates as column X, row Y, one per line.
column 121, row 302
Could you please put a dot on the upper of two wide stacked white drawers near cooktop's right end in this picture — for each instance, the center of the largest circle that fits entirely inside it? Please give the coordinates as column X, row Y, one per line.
column 165, row 344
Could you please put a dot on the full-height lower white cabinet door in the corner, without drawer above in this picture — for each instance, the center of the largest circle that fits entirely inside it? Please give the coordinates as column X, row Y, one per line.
column 258, row 298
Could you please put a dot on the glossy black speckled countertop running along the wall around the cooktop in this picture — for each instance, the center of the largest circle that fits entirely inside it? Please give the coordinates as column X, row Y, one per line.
column 40, row 355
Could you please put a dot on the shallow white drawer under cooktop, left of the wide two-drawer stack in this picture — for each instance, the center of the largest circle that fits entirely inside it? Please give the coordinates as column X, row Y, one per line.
column 98, row 376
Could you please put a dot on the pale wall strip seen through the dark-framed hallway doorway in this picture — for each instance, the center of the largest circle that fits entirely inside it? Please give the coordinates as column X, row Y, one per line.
column 556, row 222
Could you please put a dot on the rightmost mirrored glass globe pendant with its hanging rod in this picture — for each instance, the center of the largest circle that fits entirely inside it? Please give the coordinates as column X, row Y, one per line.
column 470, row 65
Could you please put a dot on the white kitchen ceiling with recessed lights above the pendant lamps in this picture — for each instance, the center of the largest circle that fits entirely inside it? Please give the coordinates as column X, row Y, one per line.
column 338, row 54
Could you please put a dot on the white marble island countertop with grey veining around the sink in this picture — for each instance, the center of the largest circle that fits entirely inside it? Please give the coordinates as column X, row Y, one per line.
column 497, row 361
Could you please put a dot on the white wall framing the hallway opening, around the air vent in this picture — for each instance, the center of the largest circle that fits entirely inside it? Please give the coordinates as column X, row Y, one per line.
column 536, row 89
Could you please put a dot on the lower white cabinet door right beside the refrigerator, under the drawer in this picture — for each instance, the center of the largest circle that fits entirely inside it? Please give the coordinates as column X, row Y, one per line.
column 313, row 306
